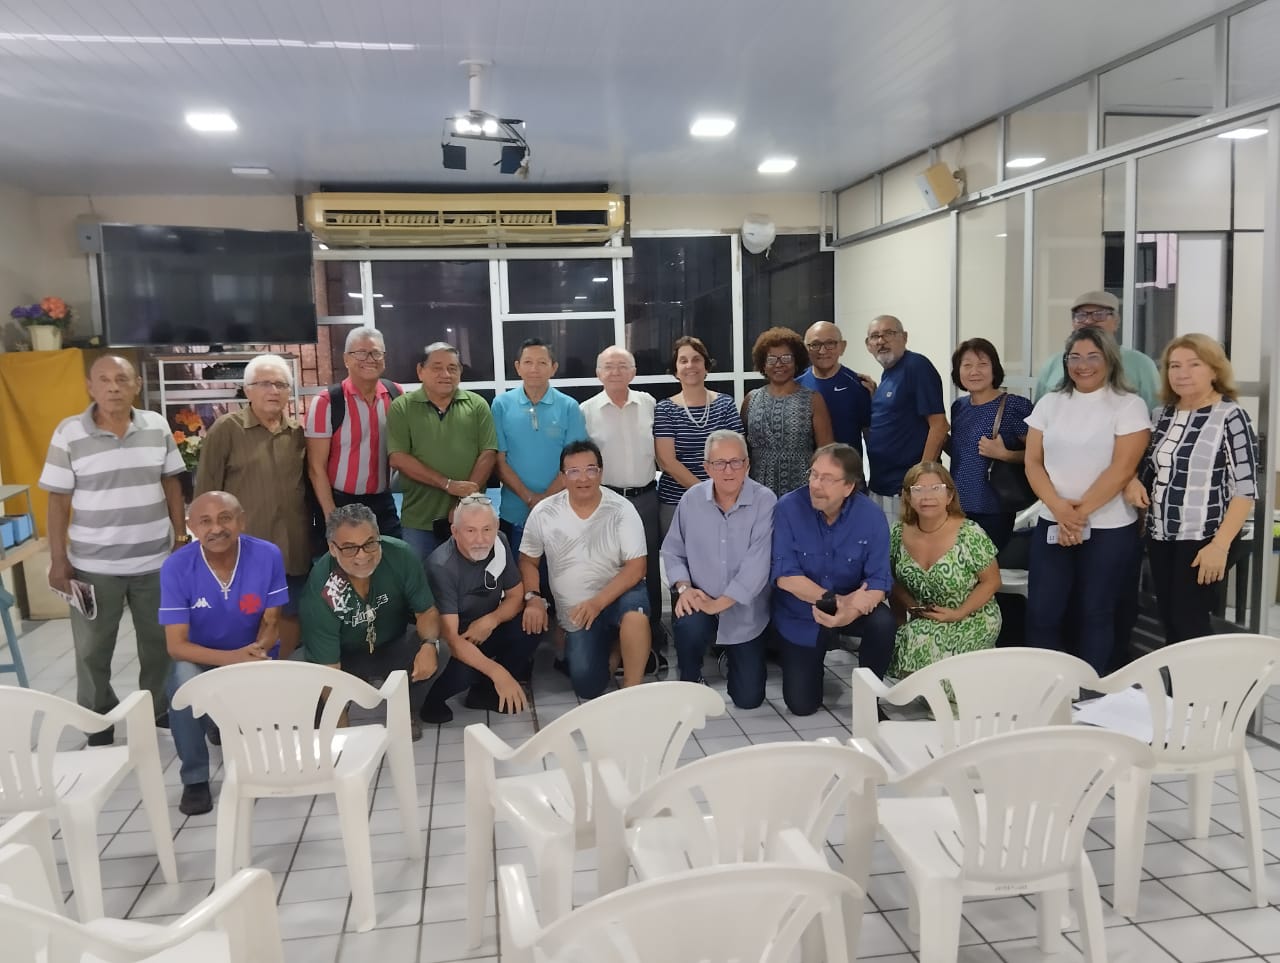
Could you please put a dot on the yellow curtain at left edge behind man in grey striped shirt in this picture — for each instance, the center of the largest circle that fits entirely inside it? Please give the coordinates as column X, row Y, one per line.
column 38, row 390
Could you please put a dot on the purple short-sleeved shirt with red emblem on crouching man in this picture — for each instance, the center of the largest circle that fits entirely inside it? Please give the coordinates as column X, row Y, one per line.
column 217, row 618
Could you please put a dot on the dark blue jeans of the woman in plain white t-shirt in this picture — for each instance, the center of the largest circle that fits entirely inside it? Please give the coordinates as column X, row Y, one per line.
column 1084, row 582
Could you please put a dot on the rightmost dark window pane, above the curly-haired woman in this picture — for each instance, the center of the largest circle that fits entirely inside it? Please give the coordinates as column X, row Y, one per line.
column 794, row 286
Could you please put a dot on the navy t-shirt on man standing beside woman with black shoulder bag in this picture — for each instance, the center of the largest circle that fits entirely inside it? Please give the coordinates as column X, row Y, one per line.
column 909, row 392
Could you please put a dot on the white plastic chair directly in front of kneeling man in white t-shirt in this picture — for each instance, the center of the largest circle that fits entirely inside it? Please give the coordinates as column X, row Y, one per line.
column 643, row 729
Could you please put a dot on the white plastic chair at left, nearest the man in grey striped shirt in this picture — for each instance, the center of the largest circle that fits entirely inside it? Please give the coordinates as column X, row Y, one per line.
column 75, row 786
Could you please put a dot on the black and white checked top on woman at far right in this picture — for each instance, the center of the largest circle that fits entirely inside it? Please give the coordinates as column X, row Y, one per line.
column 1197, row 463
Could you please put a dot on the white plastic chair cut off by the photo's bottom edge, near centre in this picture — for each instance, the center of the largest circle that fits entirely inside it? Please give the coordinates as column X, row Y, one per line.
column 746, row 914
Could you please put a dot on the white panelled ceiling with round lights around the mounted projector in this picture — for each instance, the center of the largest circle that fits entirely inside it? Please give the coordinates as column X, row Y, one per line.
column 93, row 93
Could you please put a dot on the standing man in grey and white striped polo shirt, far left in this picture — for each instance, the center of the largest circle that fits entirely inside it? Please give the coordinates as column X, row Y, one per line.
column 117, row 469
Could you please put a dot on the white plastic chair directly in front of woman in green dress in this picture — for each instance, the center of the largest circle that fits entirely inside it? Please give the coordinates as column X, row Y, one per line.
column 996, row 691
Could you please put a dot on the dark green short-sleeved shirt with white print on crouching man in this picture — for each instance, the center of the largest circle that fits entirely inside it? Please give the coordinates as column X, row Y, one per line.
column 336, row 618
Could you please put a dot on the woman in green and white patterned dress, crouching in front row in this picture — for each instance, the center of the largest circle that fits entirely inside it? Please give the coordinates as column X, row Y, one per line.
column 945, row 576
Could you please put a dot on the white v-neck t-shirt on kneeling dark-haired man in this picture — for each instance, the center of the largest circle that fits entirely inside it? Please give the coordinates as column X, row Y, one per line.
column 583, row 555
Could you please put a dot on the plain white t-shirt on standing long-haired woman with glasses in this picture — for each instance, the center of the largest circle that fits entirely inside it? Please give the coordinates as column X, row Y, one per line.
column 1080, row 441
